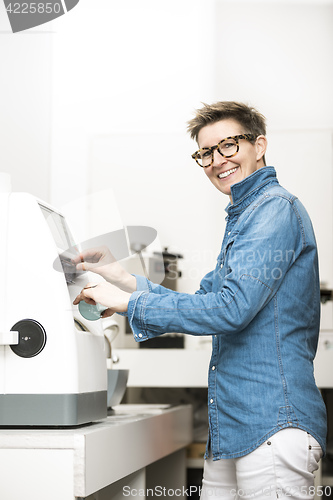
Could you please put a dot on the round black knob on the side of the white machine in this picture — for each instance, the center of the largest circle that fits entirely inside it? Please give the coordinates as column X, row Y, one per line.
column 32, row 338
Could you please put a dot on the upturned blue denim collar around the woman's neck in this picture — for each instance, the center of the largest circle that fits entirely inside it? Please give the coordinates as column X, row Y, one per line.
column 243, row 189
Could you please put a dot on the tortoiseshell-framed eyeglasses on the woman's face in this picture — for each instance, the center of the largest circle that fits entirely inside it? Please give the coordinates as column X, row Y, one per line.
column 227, row 148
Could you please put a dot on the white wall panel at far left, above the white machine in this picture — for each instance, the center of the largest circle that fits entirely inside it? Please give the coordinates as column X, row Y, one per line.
column 25, row 100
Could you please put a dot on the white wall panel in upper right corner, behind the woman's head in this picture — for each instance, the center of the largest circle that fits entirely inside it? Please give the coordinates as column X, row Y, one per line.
column 277, row 55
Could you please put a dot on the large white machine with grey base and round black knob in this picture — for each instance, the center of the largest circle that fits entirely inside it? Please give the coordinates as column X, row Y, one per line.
column 52, row 361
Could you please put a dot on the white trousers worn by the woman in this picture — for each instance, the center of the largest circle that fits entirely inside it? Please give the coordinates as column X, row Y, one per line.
column 282, row 467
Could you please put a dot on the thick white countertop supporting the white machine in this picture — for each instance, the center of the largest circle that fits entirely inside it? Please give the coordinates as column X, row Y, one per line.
column 91, row 457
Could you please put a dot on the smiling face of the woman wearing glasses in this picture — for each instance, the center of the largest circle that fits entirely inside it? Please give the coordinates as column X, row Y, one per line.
column 224, row 172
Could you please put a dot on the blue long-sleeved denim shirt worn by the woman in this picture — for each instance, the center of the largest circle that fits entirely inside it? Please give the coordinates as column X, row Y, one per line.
column 261, row 305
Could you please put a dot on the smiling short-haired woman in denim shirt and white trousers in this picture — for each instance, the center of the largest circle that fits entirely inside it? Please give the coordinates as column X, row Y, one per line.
column 261, row 305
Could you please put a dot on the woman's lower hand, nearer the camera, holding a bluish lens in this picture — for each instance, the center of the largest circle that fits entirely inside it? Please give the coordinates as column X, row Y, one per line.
column 104, row 293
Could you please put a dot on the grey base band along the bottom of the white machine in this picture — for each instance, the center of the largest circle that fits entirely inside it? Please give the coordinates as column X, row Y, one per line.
column 45, row 410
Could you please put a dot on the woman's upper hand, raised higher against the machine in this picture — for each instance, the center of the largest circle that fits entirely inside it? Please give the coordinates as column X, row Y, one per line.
column 100, row 260
